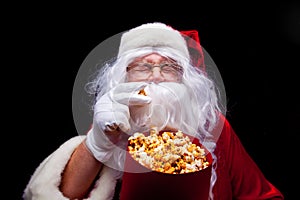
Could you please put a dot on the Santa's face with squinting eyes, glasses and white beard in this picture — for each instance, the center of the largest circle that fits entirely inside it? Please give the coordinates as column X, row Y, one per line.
column 173, row 104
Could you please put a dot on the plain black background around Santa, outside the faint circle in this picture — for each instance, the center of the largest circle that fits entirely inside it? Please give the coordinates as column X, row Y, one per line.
column 256, row 48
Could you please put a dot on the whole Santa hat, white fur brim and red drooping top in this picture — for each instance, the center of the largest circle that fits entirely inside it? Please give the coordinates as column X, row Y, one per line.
column 157, row 34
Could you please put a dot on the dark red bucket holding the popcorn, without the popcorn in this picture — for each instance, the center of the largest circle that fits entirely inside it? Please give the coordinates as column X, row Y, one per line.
column 140, row 183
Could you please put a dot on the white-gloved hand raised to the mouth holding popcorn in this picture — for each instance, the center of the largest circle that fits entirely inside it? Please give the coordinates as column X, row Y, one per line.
column 107, row 138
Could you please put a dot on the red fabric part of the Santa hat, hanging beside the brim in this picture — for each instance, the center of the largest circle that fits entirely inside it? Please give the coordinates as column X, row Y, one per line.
column 195, row 49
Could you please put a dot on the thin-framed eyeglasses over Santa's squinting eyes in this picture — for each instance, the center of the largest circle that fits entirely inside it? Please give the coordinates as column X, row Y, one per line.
column 168, row 70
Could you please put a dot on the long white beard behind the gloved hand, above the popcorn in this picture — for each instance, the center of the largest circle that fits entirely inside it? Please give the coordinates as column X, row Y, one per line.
column 172, row 106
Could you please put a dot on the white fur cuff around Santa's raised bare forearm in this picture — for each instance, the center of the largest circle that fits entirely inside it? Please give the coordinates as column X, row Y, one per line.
column 45, row 181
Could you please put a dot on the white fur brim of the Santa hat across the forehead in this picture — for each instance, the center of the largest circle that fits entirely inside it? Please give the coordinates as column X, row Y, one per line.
column 153, row 35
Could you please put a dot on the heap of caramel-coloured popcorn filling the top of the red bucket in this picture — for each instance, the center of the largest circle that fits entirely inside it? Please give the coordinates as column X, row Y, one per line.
column 168, row 152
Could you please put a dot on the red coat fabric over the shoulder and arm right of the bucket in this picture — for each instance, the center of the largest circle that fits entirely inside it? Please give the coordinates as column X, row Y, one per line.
column 238, row 176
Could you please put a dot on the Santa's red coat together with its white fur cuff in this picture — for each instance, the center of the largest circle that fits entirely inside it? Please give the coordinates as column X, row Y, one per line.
column 238, row 176
